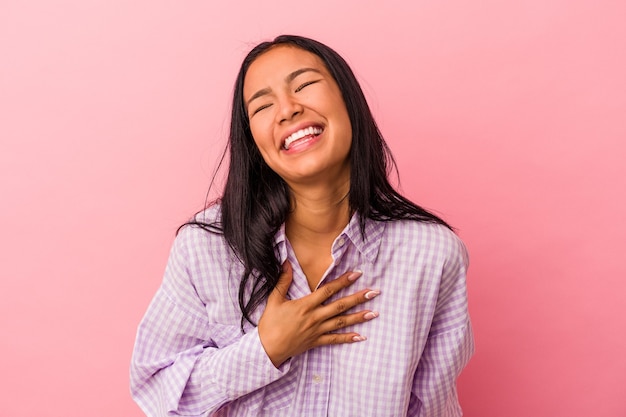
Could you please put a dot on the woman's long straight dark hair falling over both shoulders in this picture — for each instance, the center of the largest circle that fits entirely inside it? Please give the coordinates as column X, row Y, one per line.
column 256, row 201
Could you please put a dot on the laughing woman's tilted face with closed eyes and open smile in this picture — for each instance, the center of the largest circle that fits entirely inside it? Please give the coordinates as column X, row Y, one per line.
column 298, row 118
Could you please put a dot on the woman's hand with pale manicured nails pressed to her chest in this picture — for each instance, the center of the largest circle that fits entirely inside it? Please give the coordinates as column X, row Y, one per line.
column 290, row 327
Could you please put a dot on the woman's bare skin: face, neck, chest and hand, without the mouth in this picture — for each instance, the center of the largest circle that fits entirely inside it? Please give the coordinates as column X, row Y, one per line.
column 287, row 89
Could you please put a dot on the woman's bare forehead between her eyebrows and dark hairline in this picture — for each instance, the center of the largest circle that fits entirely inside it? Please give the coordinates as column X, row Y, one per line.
column 274, row 65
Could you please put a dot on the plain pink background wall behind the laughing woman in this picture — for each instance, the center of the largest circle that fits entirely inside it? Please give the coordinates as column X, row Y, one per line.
column 508, row 118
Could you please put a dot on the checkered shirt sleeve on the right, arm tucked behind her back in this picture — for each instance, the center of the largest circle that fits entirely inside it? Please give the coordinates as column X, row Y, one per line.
column 449, row 346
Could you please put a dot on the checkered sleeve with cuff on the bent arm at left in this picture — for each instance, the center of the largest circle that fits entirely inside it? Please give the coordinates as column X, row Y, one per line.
column 177, row 369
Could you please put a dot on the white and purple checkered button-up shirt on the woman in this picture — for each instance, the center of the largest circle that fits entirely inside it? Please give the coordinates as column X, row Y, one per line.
column 191, row 358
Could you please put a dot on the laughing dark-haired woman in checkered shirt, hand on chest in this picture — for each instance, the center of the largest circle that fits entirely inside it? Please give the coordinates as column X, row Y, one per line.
column 311, row 287
